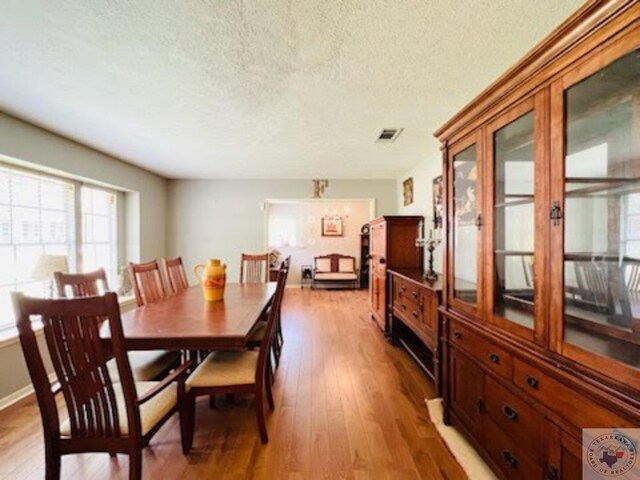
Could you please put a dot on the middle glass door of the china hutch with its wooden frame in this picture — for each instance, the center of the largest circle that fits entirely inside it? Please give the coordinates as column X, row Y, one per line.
column 511, row 168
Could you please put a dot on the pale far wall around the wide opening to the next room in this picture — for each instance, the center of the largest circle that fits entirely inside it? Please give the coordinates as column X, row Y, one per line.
column 224, row 218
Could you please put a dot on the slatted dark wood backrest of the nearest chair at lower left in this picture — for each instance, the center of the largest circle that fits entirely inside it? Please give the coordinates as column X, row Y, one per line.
column 79, row 357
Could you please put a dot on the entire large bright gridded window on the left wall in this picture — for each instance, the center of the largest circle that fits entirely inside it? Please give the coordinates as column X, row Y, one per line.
column 44, row 214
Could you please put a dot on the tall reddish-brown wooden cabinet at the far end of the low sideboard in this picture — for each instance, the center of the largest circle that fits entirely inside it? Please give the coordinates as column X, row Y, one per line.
column 392, row 246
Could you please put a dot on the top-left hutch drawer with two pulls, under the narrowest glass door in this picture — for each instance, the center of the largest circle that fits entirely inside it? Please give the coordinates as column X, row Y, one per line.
column 490, row 355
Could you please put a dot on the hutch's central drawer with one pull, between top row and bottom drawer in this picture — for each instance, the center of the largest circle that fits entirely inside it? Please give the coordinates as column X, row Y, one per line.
column 516, row 418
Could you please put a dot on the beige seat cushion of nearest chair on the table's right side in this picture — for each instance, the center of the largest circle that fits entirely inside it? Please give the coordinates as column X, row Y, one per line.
column 224, row 368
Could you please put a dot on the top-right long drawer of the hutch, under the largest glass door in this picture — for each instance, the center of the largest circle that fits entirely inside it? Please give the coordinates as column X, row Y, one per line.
column 563, row 400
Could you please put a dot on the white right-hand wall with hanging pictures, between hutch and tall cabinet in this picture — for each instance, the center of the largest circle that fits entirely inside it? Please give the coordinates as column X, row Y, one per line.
column 423, row 174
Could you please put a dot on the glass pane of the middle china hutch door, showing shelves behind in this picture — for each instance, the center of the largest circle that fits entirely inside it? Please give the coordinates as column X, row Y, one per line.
column 514, row 230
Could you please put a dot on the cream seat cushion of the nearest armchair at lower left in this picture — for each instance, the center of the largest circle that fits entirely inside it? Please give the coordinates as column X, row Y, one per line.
column 151, row 412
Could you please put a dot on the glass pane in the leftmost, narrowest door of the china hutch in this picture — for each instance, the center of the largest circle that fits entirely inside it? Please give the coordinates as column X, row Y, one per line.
column 465, row 231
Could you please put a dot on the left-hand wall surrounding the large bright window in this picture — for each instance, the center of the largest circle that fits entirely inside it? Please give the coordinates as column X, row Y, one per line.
column 146, row 205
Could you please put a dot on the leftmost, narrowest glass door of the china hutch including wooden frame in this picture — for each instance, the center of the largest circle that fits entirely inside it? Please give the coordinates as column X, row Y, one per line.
column 465, row 176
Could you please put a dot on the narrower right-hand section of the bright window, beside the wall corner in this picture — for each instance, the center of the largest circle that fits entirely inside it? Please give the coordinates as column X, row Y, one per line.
column 99, row 231
